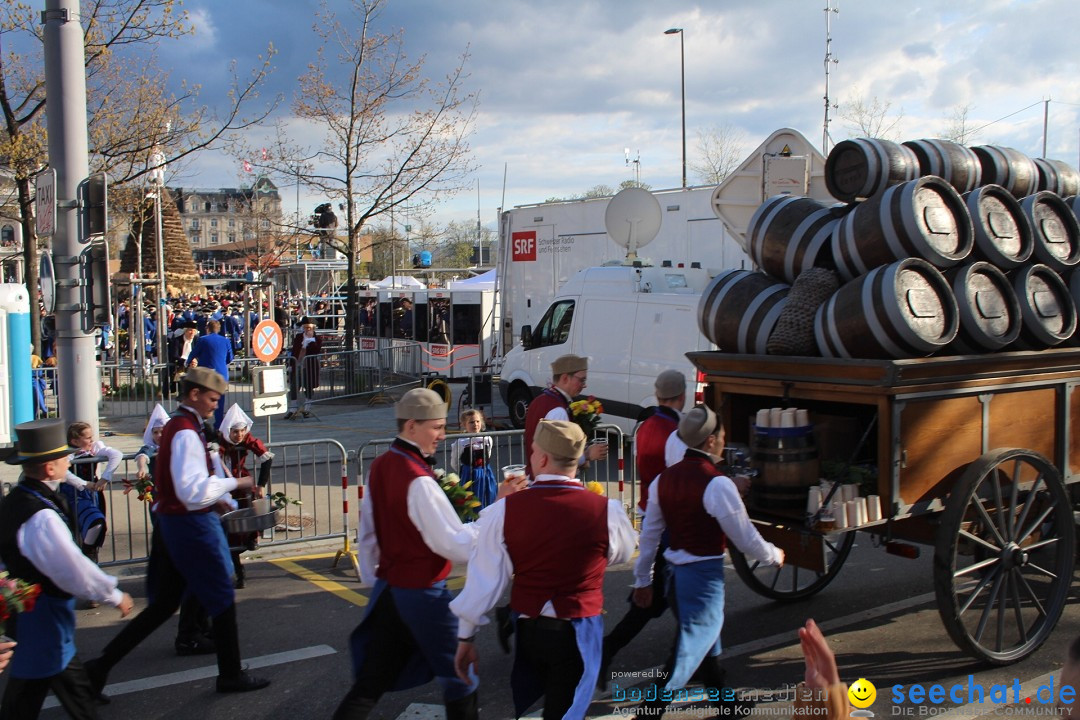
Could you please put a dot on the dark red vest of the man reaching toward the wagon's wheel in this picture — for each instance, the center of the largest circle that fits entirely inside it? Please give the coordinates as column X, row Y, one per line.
column 682, row 501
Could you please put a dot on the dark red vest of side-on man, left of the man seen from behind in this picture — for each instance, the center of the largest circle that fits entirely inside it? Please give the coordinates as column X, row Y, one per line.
column 406, row 561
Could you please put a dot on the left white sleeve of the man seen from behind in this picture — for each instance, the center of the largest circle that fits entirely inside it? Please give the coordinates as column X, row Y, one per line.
column 490, row 573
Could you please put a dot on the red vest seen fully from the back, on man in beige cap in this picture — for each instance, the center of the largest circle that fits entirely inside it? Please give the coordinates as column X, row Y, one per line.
column 558, row 540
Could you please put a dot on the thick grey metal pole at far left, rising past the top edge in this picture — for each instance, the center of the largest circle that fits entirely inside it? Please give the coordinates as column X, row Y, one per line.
column 78, row 389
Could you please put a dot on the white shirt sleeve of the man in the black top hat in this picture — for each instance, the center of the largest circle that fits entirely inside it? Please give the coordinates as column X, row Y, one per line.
column 46, row 541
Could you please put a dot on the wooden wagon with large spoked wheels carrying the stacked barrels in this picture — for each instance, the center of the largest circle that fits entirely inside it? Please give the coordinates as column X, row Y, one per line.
column 974, row 456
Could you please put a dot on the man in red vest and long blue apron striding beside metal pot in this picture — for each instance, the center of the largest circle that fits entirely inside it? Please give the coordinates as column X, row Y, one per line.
column 191, row 482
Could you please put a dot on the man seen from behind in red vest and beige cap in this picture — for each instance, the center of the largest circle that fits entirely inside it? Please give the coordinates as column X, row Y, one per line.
column 556, row 540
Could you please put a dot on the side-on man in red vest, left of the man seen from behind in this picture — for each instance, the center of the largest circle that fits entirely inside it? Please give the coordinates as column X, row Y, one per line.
column 410, row 535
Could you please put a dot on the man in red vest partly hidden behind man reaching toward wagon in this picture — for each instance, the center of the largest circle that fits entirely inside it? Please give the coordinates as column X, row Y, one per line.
column 651, row 442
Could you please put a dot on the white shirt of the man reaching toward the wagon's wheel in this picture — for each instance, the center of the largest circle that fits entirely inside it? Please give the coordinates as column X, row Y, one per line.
column 723, row 502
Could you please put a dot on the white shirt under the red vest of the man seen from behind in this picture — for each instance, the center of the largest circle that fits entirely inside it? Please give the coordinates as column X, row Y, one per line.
column 491, row 568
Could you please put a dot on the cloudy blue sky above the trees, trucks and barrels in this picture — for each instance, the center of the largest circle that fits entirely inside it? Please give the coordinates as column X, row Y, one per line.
column 566, row 86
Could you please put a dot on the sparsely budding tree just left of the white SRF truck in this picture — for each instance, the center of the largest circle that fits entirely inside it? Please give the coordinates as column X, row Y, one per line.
column 393, row 139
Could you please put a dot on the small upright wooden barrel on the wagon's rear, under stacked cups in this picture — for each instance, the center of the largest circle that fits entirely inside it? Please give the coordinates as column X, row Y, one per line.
column 787, row 459
